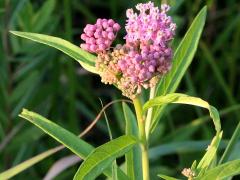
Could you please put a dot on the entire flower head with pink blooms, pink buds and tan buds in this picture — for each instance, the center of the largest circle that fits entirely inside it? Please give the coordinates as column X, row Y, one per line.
column 146, row 55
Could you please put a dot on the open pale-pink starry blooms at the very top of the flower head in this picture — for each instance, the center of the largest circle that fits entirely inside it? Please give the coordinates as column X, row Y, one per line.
column 150, row 24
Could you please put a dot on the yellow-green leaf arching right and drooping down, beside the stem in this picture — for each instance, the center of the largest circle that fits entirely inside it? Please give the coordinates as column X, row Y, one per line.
column 185, row 99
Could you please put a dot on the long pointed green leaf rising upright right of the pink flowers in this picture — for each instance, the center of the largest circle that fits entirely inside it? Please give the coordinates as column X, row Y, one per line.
column 181, row 61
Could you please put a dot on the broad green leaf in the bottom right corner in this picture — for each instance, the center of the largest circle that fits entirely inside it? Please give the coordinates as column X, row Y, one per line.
column 225, row 170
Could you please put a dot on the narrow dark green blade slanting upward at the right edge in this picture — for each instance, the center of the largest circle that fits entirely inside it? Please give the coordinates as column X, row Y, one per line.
column 230, row 145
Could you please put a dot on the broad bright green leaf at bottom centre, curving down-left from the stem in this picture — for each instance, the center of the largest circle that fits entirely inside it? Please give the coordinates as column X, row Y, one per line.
column 103, row 156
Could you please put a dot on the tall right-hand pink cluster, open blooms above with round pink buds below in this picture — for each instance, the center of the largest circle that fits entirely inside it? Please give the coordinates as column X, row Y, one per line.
column 149, row 32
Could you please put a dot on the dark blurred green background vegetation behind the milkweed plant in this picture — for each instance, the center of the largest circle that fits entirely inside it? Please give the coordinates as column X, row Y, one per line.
column 45, row 80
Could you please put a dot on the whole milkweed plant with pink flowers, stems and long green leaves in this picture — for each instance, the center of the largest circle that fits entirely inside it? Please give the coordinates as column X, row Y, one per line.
column 145, row 62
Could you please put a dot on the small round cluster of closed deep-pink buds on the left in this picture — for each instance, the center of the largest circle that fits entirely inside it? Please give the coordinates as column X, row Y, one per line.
column 99, row 37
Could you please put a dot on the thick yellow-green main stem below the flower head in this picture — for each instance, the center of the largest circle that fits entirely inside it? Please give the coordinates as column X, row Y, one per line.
column 142, row 137
